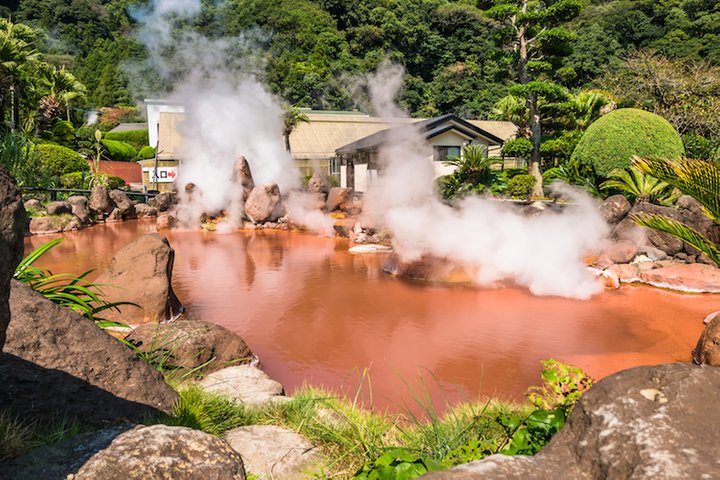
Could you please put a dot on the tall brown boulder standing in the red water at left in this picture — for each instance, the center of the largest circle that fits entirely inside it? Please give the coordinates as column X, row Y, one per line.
column 141, row 273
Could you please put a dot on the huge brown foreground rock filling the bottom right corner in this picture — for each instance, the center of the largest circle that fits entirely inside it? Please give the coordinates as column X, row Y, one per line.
column 643, row 423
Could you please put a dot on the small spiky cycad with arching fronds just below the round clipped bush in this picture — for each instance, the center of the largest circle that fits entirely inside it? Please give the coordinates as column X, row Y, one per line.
column 638, row 186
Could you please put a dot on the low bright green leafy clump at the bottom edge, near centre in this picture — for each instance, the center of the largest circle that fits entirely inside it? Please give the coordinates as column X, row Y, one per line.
column 396, row 464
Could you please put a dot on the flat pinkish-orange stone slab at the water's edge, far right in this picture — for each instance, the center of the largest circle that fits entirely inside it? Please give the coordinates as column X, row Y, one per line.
column 696, row 278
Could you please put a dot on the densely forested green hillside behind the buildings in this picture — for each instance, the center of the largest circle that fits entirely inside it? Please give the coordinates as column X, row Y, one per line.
column 456, row 56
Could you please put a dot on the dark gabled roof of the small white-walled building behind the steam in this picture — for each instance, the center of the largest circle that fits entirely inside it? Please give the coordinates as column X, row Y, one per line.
column 430, row 127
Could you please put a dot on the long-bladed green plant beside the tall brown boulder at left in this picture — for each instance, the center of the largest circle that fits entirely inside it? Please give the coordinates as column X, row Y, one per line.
column 65, row 289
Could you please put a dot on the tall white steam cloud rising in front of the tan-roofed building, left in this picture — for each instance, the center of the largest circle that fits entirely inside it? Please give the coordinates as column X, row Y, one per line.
column 228, row 113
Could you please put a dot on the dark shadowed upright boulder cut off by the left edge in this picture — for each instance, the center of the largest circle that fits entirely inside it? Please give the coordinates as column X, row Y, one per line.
column 12, row 226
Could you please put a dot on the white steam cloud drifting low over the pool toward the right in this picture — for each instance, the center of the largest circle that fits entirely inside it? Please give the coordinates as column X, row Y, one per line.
column 543, row 253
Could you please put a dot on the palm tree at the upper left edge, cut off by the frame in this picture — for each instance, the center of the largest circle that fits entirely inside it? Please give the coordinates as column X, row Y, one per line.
column 17, row 52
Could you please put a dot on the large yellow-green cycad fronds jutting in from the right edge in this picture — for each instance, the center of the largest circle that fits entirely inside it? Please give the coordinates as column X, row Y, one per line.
column 699, row 179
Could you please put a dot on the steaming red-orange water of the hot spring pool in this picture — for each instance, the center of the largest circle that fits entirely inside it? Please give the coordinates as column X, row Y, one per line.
column 314, row 313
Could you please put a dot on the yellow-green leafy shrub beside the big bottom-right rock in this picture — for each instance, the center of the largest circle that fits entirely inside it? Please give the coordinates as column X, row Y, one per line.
column 562, row 387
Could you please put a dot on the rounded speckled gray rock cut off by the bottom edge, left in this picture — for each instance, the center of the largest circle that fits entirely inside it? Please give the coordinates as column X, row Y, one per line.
column 162, row 452
